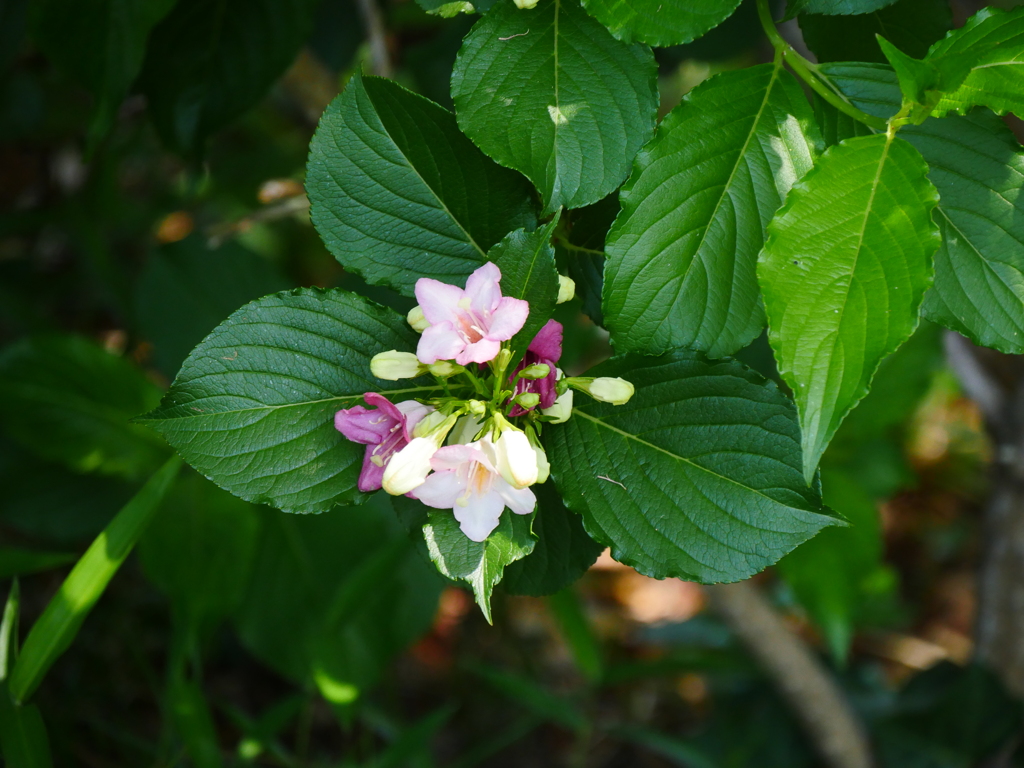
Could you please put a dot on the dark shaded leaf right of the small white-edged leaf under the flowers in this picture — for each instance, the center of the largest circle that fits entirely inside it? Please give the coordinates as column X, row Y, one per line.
column 564, row 551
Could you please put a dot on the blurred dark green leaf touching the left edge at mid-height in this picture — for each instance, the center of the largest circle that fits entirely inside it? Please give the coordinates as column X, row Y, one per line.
column 70, row 401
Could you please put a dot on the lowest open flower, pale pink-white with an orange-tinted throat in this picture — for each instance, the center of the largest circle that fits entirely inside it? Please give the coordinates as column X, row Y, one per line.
column 467, row 482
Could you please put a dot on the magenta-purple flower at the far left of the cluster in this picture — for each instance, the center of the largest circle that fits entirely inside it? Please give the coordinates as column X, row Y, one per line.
column 383, row 432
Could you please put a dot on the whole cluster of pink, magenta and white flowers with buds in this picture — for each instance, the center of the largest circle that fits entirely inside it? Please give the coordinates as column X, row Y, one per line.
column 476, row 447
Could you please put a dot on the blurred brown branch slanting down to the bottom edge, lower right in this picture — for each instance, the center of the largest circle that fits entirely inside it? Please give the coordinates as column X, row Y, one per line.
column 802, row 679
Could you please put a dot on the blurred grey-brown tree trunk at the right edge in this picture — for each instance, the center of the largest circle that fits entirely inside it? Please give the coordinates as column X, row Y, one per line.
column 996, row 383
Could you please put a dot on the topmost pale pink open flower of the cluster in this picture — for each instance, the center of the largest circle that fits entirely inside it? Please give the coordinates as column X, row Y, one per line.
column 467, row 326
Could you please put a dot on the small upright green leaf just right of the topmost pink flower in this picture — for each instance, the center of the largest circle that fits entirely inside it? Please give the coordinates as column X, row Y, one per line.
column 528, row 265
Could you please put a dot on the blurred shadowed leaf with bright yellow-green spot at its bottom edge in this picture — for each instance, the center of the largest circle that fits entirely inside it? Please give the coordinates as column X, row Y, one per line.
column 310, row 612
